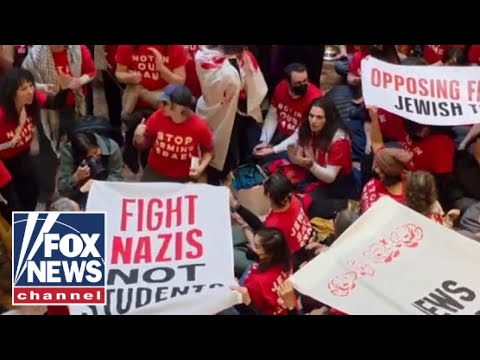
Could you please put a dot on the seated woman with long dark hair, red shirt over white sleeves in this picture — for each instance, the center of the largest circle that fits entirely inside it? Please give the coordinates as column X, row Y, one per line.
column 323, row 151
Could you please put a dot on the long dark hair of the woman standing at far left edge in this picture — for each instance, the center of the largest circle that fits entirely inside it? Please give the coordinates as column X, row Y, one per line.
column 11, row 82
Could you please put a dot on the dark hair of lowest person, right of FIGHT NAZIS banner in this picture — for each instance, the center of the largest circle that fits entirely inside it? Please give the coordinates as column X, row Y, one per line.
column 275, row 246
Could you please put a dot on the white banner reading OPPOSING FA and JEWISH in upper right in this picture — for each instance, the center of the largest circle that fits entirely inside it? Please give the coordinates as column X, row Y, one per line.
column 432, row 95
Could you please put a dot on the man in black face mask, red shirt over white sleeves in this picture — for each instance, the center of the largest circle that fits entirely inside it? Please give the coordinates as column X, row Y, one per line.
column 291, row 99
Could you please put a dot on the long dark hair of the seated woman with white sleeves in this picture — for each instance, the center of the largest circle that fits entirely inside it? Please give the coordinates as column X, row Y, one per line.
column 333, row 123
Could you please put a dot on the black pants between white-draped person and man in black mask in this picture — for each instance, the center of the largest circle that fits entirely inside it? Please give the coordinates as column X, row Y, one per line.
column 244, row 138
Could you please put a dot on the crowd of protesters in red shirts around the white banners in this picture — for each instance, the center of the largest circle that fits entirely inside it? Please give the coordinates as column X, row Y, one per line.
column 189, row 113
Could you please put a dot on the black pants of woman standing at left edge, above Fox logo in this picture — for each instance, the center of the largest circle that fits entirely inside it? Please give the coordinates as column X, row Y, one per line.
column 22, row 192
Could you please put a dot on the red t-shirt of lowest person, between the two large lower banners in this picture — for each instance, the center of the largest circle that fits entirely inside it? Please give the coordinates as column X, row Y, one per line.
column 262, row 286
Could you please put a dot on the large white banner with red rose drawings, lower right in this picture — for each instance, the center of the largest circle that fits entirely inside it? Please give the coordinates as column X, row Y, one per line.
column 394, row 261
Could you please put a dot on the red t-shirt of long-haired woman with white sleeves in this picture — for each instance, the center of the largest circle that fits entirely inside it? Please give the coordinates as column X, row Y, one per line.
column 339, row 154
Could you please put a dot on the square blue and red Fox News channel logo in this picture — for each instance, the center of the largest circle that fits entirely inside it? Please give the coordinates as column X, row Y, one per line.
column 58, row 258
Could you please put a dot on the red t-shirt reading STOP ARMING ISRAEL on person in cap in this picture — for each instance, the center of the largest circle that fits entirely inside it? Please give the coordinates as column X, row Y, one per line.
column 175, row 144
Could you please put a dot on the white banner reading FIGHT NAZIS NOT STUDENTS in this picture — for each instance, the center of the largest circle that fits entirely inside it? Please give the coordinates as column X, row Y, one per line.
column 169, row 249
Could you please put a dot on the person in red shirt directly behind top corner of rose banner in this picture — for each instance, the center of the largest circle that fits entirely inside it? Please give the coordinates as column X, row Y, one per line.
column 389, row 166
